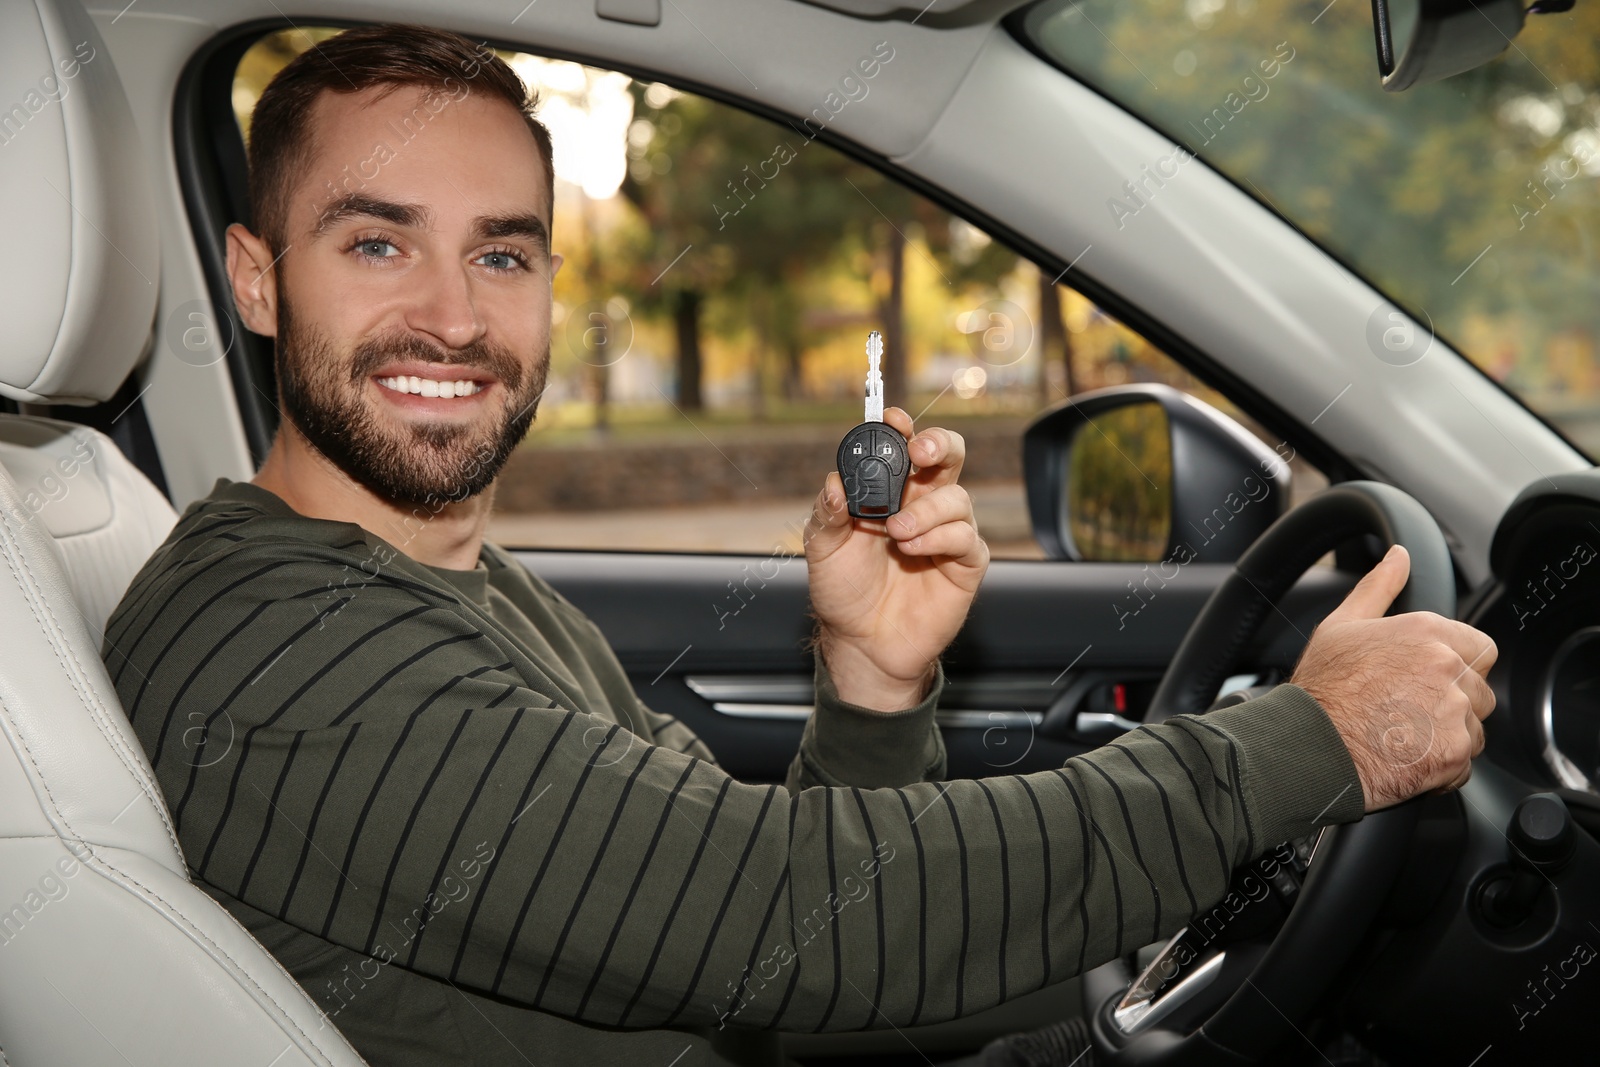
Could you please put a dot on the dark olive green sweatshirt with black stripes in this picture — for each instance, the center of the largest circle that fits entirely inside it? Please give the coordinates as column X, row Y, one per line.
column 436, row 797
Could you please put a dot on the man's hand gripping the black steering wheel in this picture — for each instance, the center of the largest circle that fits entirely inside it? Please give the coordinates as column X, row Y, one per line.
column 1407, row 692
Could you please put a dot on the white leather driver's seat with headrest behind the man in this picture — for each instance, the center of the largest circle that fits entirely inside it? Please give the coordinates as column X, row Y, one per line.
column 108, row 953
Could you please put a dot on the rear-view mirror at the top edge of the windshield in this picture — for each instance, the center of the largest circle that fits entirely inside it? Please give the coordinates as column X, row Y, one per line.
column 1426, row 41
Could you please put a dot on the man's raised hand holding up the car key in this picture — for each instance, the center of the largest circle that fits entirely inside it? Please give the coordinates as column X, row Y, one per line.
column 890, row 596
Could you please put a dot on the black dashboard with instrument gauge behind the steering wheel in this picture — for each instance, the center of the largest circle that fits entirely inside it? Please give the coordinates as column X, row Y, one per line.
column 1495, row 892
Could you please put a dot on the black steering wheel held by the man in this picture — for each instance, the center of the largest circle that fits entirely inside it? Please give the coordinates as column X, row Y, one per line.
column 1351, row 868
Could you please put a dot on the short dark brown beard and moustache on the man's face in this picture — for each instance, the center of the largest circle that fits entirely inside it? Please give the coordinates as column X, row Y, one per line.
column 426, row 463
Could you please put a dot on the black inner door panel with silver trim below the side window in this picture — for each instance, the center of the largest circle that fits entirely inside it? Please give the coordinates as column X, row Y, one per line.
column 721, row 644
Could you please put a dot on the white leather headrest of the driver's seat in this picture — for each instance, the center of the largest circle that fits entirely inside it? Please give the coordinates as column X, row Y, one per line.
column 81, row 260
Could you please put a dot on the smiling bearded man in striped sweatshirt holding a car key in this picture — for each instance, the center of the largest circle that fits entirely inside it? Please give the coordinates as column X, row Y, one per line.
column 422, row 778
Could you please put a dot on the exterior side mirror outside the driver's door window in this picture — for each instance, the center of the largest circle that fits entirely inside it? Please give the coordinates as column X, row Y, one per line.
column 1146, row 474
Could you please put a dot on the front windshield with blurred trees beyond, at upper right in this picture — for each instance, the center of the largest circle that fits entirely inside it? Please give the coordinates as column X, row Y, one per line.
column 1471, row 202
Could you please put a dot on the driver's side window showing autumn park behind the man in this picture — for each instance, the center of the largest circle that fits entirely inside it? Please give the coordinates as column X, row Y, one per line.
column 708, row 334
